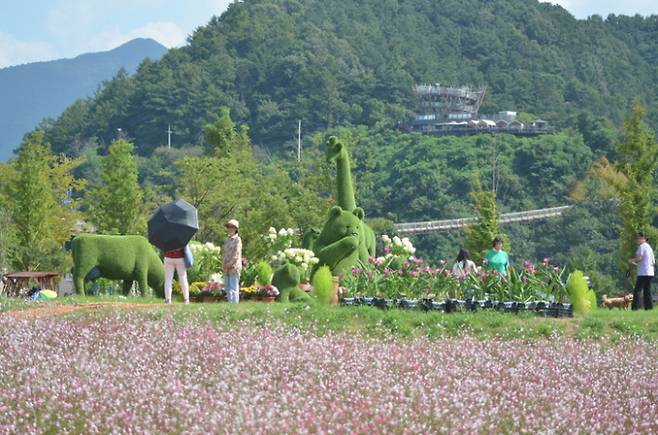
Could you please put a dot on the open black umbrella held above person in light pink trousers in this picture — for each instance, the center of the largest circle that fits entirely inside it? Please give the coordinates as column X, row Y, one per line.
column 173, row 225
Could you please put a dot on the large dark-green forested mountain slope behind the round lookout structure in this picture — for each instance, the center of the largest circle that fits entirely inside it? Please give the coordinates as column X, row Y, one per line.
column 332, row 63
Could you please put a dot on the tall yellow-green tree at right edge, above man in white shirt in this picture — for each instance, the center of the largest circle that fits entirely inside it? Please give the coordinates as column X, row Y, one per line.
column 631, row 179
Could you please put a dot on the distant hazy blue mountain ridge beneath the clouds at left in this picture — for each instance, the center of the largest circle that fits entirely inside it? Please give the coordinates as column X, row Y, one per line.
column 33, row 91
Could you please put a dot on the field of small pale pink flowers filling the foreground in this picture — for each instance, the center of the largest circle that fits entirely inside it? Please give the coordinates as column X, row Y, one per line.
column 124, row 373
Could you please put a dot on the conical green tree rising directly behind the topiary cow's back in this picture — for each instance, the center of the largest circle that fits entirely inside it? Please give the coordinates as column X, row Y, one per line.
column 115, row 204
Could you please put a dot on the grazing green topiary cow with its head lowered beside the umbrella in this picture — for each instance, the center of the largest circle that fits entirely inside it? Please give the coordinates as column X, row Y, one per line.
column 127, row 258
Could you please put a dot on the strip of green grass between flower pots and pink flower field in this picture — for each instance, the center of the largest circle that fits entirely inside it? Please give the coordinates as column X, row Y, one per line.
column 367, row 321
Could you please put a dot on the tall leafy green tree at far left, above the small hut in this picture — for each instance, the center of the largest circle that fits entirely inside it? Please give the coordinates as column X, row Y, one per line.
column 37, row 193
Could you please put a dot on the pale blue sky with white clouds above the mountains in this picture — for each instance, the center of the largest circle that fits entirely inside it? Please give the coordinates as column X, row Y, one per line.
column 36, row 30
